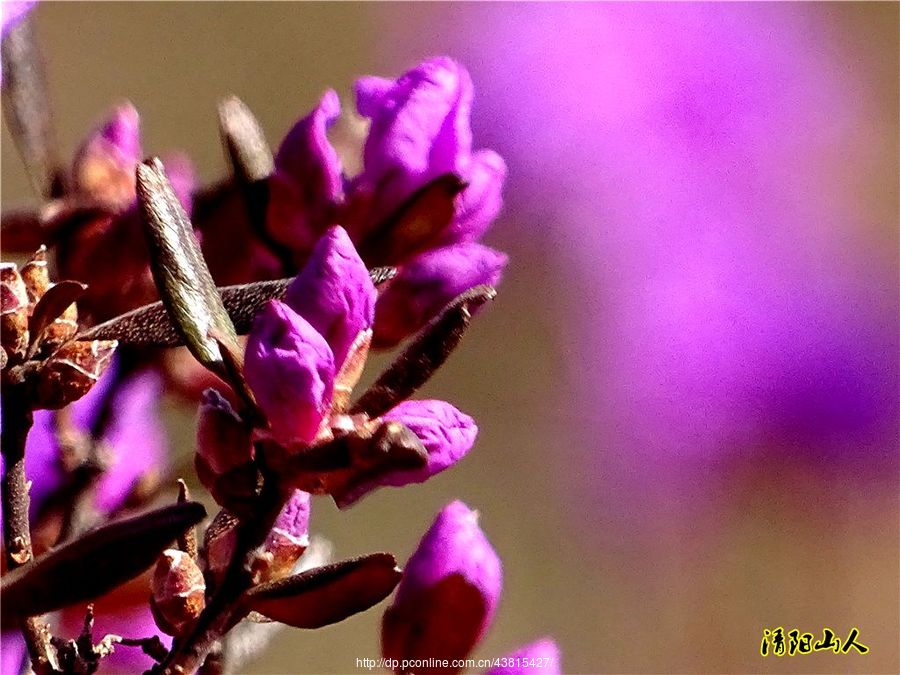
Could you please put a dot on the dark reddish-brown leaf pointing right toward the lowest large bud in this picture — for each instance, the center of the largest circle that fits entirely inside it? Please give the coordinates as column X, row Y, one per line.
column 326, row 595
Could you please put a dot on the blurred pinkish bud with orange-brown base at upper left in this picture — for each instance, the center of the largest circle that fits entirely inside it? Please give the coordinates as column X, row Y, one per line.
column 104, row 165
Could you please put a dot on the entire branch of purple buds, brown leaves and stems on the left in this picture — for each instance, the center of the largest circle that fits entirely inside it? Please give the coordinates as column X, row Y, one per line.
column 282, row 423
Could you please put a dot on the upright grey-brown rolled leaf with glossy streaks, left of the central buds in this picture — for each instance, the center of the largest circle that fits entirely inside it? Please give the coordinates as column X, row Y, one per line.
column 181, row 274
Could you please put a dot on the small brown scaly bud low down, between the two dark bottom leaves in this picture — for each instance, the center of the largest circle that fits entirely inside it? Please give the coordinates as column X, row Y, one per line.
column 178, row 591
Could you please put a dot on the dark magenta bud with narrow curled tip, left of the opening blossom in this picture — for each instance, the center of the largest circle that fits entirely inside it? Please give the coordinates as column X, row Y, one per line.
column 307, row 182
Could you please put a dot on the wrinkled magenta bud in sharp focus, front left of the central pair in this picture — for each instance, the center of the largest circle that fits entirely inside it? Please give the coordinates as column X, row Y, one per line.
column 290, row 369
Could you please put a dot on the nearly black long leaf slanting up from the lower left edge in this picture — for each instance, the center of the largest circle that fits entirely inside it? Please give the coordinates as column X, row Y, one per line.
column 94, row 564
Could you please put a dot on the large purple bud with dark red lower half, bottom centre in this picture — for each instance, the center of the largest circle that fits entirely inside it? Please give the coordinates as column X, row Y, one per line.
column 448, row 594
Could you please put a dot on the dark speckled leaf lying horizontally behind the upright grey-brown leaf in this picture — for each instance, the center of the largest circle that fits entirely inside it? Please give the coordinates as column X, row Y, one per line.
column 151, row 326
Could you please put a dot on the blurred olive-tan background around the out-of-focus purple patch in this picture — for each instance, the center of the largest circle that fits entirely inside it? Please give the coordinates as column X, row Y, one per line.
column 686, row 590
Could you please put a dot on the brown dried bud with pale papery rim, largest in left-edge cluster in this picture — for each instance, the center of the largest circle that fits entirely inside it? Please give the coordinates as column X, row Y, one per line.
column 71, row 372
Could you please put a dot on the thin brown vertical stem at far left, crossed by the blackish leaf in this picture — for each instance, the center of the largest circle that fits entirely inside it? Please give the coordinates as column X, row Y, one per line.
column 17, row 421
